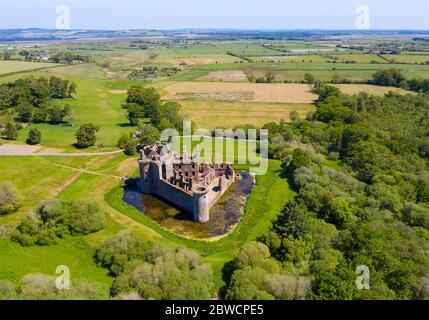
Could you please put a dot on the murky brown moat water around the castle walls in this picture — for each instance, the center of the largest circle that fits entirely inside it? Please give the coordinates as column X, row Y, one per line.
column 224, row 215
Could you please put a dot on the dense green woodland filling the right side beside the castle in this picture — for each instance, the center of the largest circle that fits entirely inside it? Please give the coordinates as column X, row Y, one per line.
column 359, row 167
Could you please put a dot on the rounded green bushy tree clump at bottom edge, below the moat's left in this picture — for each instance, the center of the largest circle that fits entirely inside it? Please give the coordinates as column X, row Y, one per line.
column 154, row 271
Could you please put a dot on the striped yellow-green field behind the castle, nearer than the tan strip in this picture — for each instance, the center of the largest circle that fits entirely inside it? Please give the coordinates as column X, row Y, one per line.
column 212, row 114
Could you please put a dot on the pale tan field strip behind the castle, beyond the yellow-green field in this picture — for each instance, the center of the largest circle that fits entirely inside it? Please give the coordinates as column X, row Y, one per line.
column 250, row 92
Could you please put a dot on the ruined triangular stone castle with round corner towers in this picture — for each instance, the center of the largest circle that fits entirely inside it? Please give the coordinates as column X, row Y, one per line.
column 184, row 181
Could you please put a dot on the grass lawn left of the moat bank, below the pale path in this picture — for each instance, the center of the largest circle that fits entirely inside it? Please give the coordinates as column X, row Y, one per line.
column 39, row 178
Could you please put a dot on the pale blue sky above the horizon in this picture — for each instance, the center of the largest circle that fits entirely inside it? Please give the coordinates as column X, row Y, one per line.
column 245, row 14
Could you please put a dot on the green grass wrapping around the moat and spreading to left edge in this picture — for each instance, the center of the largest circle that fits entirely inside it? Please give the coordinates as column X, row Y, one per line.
column 270, row 194
